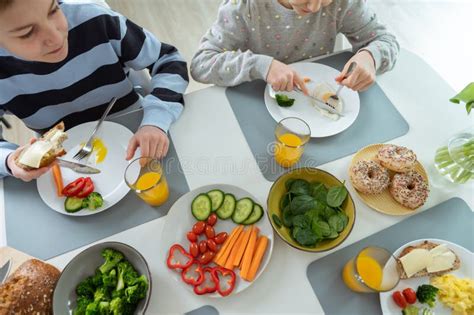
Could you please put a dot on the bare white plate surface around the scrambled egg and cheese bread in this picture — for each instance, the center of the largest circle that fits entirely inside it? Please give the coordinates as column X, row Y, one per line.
column 466, row 271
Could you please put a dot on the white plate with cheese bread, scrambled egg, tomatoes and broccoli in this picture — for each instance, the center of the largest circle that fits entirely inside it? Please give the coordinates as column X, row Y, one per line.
column 436, row 278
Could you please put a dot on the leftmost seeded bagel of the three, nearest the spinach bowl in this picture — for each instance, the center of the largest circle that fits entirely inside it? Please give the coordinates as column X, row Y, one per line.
column 369, row 177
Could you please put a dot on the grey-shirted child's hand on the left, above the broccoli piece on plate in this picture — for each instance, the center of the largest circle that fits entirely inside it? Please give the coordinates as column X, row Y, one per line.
column 283, row 78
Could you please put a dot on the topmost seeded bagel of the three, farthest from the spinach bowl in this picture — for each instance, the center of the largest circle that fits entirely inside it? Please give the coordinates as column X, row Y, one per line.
column 396, row 158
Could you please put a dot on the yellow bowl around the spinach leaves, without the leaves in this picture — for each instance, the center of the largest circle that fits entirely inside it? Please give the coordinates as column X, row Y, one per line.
column 278, row 190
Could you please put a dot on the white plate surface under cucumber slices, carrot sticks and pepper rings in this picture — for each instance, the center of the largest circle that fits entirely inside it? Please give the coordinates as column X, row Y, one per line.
column 180, row 221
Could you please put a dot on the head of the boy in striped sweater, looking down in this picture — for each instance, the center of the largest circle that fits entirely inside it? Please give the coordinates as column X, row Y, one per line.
column 34, row 30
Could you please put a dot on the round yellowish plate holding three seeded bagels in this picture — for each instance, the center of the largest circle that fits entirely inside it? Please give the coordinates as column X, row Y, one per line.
column 389, row 179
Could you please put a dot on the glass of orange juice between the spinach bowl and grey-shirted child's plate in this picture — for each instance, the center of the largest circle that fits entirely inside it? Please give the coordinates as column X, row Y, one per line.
column 291, row 135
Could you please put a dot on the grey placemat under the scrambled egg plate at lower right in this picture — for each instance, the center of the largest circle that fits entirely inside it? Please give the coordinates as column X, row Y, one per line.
column 452, row 221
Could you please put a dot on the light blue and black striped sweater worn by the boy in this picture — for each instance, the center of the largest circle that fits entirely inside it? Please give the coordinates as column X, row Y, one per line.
column 103, row 47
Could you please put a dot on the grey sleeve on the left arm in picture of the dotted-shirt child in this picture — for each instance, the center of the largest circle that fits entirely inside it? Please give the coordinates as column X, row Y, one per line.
column 223, row 57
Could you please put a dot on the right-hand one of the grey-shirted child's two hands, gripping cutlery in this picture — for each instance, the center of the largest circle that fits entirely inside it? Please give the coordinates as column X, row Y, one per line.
column 363, row 75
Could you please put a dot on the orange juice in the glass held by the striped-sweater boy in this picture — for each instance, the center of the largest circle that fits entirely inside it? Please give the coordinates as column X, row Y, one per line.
column 153, row 188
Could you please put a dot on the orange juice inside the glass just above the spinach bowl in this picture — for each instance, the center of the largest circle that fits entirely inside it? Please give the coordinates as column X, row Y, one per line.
column 288, row 150
